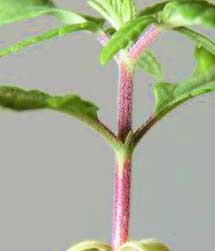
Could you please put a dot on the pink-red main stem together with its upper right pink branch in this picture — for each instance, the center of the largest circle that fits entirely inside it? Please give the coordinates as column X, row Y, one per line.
column 122, row 181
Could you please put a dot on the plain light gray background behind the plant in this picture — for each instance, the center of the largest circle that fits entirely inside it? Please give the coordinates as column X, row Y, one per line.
column 56, row 175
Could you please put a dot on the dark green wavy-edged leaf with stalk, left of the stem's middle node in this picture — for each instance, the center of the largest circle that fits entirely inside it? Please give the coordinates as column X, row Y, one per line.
column 17, row 99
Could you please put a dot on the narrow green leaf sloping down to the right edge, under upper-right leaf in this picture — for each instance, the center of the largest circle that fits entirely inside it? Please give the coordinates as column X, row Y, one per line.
column 198, row 38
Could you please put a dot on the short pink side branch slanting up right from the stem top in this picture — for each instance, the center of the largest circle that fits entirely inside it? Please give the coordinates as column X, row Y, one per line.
column 143, row 42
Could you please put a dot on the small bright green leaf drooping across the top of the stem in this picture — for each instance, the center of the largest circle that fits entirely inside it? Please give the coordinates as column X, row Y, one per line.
column 124, row 36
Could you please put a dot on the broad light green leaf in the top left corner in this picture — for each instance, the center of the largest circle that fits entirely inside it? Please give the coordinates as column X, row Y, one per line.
column 15, row 10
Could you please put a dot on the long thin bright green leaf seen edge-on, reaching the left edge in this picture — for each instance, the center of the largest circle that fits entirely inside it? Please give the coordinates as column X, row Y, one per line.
column 56, row 32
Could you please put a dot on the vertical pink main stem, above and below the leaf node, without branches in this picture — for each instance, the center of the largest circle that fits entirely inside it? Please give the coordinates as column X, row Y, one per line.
column 122, row 181
